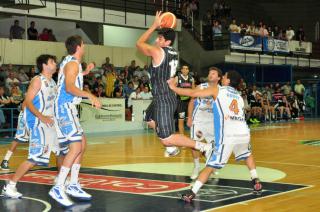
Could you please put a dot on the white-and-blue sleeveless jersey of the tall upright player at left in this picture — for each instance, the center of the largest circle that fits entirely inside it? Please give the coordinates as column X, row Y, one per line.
column 63, row 96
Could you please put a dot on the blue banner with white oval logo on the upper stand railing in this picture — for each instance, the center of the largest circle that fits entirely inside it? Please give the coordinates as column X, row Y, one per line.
column 246, row 42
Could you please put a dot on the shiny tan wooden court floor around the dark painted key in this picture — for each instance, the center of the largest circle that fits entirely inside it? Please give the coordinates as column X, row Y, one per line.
column 276, row 146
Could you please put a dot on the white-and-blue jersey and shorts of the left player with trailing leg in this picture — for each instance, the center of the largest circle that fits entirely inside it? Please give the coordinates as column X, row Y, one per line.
column 43, row 138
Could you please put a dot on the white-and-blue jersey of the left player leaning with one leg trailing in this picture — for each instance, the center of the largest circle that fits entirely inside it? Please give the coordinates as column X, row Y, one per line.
column 43, row 101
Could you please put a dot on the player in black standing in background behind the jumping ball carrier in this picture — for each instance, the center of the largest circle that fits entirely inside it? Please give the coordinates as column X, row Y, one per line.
column 183, row 80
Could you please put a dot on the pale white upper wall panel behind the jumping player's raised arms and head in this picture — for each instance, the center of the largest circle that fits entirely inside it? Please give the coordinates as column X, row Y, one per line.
column 126, row 37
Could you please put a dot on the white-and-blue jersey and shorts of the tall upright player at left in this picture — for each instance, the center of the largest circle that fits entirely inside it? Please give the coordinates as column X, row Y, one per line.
column 66, row 114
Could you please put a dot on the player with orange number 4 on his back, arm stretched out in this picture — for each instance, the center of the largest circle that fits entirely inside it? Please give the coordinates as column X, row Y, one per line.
column 232, row 134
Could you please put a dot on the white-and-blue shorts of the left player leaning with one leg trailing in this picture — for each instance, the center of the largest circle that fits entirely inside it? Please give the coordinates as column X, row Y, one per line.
column 43, row 141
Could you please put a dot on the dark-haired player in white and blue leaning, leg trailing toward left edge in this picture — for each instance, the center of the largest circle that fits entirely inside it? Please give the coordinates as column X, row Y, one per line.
column 38, row 117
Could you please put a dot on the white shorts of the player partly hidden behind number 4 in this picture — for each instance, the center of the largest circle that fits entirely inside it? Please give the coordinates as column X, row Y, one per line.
column 202, row 130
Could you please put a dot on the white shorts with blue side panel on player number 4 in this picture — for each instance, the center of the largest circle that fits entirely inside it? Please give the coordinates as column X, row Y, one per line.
column 222, row 153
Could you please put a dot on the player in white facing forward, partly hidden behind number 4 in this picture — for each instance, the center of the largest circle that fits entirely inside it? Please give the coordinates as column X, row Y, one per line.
column 200, row 117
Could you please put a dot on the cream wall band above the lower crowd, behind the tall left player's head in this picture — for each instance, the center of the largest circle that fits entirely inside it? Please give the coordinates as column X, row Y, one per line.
column 24, row 52
